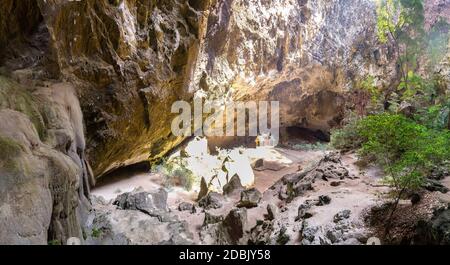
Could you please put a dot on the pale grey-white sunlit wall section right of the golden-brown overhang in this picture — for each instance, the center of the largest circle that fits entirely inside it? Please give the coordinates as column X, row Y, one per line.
column 305, row 54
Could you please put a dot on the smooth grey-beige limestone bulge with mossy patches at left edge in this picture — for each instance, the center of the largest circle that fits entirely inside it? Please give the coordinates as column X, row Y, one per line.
column 44, row 176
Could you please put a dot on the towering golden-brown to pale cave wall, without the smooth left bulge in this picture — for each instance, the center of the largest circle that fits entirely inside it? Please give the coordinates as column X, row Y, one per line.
column 129, row 60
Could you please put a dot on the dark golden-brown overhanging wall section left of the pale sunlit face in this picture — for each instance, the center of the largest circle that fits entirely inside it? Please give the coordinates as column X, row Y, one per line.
column 129, row 60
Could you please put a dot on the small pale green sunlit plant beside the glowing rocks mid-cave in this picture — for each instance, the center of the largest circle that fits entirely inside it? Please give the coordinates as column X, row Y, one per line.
column 176, row 172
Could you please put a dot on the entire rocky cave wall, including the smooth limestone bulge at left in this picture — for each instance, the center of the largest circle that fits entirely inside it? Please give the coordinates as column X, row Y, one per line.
column 121, row 63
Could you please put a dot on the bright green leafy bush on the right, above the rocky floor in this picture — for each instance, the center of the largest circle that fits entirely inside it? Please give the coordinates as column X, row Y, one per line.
column 405, row 149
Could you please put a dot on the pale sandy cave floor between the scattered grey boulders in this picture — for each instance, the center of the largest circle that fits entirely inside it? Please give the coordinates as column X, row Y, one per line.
column 357, row 194
